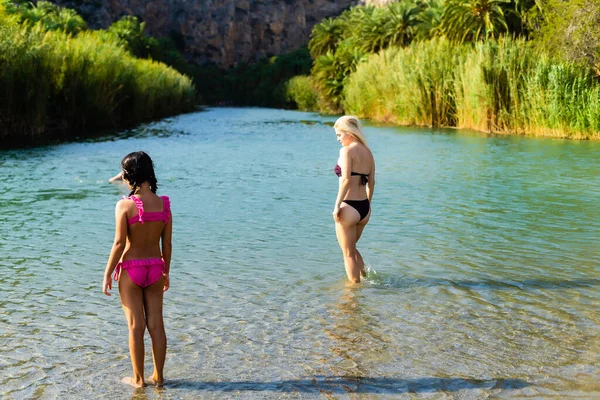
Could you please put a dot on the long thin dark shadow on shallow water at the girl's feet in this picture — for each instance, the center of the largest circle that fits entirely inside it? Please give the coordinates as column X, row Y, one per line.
column 350, row 384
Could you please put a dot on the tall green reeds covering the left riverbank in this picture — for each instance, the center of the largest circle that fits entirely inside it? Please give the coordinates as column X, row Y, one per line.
column 56, row 85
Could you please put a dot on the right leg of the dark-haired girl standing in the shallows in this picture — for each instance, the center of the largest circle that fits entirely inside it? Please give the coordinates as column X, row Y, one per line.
column 153, row 300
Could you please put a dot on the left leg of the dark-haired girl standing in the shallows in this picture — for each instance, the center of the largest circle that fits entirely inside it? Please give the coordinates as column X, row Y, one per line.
column 132, row 300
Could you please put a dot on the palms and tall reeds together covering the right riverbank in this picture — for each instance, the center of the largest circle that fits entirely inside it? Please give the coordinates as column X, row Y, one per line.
column 489, row 65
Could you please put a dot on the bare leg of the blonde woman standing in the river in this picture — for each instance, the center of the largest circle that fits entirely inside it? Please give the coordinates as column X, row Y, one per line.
column 346, row 231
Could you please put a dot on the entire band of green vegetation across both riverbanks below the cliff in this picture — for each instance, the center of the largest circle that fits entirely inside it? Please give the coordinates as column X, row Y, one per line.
column 505, row 66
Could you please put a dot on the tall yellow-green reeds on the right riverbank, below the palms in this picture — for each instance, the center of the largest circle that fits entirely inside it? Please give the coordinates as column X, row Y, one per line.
column 501, row 86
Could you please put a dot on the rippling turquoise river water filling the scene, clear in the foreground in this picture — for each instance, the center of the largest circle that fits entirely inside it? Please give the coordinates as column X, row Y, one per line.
column 482, row 253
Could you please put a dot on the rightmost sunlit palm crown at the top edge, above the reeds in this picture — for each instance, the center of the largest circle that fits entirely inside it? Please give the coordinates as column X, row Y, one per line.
column 465, row 20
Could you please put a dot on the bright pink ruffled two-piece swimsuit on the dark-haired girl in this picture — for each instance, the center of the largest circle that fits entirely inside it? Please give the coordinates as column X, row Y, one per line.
column 147, row 271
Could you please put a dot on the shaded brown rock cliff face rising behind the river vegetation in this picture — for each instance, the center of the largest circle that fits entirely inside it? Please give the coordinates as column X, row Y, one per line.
column 224, row 32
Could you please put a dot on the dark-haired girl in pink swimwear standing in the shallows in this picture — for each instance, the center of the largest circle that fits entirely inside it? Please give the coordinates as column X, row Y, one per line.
column 140, row 260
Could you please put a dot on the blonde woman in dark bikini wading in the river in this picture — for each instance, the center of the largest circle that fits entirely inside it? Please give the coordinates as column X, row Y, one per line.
column 352, row 209
